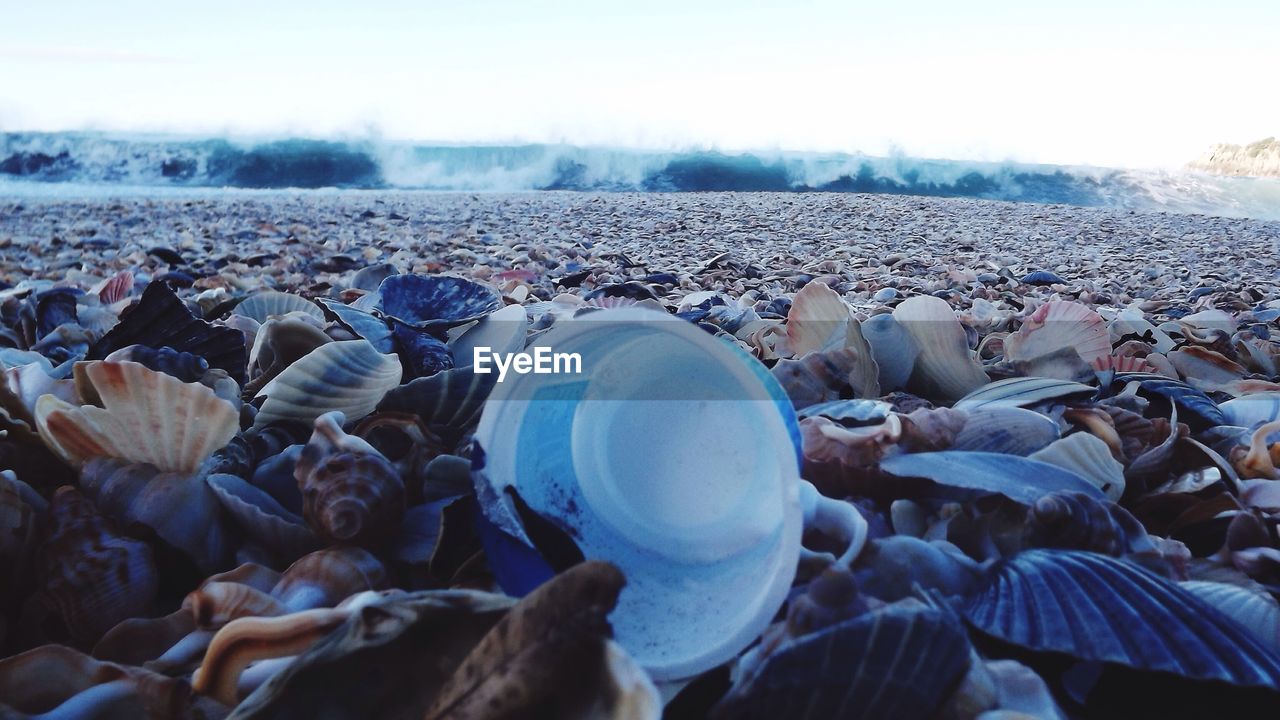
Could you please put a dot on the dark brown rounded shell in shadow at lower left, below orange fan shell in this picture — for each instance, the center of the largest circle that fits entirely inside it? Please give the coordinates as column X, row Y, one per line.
column 90, row 575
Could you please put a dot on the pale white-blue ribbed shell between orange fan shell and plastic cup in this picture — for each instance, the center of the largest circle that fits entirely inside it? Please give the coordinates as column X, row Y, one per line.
column 350, row 377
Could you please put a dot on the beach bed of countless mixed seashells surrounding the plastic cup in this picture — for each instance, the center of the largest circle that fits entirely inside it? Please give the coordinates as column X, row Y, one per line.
column 235, row 479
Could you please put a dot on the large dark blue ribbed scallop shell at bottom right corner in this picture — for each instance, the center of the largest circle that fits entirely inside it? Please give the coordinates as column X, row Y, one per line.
column 1100, row 609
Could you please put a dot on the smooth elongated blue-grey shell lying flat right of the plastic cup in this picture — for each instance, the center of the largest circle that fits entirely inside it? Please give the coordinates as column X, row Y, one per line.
column 956, row 473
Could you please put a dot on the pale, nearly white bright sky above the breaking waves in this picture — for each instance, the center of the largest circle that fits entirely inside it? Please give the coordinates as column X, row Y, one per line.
column 1114, row 84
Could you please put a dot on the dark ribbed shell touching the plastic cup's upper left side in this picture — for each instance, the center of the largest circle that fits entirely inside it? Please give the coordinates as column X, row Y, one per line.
column 447, row 403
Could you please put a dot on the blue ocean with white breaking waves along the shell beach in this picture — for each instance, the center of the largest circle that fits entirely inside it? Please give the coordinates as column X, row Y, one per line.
column 90, row 163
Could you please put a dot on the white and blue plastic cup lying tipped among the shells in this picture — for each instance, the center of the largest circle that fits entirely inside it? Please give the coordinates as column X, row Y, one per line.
column 696, row 502
